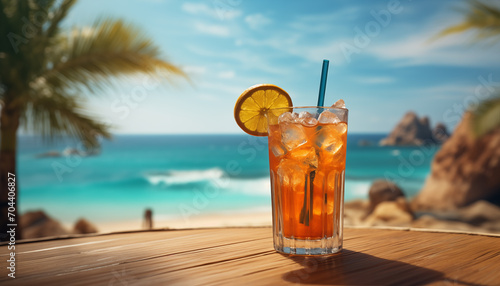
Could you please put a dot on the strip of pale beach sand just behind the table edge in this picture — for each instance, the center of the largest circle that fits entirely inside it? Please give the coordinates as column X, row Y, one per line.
column 469, row 218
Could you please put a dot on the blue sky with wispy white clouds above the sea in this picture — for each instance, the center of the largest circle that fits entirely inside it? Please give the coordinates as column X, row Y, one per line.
column 384, row 61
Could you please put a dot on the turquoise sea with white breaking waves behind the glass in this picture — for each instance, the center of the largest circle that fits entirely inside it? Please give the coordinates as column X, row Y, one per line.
column 179, row 175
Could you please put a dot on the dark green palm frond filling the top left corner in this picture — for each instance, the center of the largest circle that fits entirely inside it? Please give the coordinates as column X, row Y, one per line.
column 25, row 28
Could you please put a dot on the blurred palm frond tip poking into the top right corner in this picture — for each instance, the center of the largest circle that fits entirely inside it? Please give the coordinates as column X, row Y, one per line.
column 482, row 17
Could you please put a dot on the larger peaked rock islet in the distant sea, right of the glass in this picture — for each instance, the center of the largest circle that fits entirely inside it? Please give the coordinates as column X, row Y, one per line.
column 411, row 130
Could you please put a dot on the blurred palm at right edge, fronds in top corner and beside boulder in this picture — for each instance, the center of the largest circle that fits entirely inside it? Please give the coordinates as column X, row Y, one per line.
column 485, row 20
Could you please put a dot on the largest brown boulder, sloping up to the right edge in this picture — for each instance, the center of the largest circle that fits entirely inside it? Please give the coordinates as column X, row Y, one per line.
column 465, row 170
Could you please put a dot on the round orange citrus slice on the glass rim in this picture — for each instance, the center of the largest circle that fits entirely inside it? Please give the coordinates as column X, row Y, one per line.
column 255, row 102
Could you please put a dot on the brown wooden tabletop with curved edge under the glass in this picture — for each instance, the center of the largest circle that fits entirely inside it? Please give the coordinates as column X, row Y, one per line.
column 244, row 256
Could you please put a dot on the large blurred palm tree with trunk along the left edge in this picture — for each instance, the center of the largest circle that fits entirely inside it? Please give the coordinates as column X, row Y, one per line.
column 45, row 73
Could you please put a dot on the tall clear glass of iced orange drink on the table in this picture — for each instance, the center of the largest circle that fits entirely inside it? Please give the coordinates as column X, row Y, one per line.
column 307, row 151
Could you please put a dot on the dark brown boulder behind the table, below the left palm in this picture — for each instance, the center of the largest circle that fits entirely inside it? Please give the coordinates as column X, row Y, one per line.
column 37, row 224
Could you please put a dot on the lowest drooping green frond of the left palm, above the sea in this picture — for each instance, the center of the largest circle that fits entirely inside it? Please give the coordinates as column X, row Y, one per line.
column 58, row 114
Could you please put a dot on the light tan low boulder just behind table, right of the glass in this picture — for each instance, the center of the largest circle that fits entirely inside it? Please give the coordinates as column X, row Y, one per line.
column 393, row 213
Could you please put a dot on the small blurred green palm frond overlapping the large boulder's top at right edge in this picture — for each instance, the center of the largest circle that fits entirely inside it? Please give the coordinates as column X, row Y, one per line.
column 486, row 117
